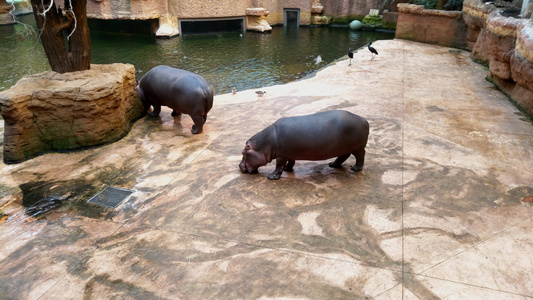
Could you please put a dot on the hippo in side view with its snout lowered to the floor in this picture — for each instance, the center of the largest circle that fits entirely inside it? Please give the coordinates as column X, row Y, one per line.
column 319, row 136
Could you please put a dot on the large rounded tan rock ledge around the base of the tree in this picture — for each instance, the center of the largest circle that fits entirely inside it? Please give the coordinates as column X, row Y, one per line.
column 53, row 112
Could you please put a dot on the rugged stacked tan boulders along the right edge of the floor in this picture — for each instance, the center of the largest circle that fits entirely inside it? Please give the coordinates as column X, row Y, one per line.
column 504, row 42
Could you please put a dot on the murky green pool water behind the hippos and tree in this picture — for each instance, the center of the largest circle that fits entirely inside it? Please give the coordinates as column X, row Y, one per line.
column 225, row 60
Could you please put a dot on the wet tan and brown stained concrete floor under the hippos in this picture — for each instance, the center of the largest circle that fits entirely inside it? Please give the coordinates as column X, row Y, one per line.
column 440, row 211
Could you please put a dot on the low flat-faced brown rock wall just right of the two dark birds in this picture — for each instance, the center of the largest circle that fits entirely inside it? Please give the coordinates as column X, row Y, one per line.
column 445, row 28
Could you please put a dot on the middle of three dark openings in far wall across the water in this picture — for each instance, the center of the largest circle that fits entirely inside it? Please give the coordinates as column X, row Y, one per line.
column 195, row 26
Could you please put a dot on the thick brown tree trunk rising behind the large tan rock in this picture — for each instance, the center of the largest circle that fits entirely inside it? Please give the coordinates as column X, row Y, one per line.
column 65, row 54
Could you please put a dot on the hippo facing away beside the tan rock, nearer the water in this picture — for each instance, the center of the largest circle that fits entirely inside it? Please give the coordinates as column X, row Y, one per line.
column 181, row 90
